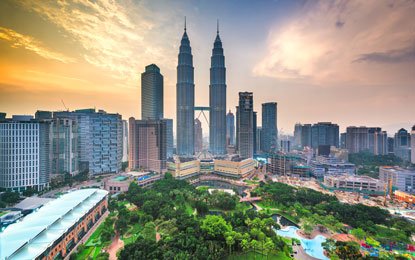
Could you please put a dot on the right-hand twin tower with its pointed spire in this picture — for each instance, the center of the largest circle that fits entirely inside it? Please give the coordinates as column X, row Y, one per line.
column 217, row 99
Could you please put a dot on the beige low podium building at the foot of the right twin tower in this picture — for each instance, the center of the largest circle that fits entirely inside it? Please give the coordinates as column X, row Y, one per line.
column 234, row 167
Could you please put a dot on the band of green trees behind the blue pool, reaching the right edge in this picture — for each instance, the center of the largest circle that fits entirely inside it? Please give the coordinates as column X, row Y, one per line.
column 312, row 207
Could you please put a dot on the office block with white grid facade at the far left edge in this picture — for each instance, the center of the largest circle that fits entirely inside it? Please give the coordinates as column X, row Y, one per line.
column 25, row 153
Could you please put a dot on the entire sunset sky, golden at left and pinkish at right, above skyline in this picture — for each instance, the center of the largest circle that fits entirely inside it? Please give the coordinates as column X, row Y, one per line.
column 349, row 62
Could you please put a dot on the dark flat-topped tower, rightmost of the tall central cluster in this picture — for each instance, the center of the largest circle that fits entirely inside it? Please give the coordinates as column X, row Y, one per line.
column 269, row 137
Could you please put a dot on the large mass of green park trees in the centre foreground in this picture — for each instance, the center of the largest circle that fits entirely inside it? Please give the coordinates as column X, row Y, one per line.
column 177, row 224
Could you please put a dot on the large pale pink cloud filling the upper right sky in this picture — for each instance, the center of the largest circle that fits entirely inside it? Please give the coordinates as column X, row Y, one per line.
column 371, row 42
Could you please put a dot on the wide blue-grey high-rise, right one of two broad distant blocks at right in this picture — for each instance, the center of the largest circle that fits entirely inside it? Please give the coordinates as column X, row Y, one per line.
column 366, row 139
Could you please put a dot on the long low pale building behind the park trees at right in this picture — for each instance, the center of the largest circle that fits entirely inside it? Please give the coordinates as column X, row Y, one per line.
column 353, row 182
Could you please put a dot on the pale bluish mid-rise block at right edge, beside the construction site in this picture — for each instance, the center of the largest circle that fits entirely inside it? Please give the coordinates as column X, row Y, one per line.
column 402, row 179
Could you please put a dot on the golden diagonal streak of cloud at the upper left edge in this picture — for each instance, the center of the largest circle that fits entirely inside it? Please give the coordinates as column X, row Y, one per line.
column 18, row 40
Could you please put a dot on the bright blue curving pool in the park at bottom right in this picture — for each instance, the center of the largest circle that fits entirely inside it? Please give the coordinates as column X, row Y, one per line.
column 312, row 247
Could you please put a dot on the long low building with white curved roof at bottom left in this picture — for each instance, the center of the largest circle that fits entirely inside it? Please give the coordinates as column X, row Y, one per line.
column 55, row 229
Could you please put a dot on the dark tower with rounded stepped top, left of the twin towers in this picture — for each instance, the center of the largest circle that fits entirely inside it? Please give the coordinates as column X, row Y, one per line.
column 151, row 93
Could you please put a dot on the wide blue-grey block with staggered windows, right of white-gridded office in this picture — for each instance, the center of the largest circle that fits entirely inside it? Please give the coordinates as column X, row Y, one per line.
column 100, row 140
